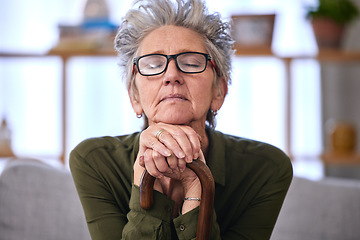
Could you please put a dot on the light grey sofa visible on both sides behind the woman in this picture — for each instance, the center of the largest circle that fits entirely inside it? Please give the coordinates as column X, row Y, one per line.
column 39, row 202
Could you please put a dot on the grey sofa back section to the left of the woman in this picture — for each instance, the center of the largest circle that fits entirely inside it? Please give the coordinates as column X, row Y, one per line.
column 39, row 202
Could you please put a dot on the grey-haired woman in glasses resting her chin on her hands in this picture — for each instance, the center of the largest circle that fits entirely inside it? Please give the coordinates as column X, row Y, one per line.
column 176, row 58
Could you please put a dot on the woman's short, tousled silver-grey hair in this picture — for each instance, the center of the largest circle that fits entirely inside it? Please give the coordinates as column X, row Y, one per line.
column 192, row 14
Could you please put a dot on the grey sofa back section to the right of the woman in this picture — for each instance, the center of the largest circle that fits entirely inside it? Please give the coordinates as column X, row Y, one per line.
column 325, row 209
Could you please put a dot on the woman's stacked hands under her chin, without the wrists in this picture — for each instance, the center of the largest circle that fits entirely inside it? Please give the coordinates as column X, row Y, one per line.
column 172, row 147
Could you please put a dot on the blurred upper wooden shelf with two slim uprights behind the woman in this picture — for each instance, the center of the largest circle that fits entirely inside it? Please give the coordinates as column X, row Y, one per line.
column 324, row 55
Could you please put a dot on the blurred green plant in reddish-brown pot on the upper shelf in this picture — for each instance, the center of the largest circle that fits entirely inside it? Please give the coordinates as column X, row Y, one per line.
column 329, row 20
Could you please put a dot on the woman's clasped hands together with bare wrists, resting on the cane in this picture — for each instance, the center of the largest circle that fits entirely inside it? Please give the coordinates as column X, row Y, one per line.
column 164, row 150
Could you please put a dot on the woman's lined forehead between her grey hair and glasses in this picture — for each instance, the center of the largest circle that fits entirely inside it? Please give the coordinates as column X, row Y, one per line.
column 172, row 40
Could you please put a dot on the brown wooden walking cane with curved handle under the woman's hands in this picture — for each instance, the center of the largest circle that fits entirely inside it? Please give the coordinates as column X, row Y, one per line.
column 207, row 196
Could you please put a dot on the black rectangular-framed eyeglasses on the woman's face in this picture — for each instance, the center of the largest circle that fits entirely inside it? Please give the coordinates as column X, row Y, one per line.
column 186, row 62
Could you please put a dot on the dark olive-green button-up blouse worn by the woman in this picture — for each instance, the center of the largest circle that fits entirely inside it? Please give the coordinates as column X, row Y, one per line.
column 251, row 181
